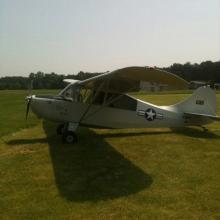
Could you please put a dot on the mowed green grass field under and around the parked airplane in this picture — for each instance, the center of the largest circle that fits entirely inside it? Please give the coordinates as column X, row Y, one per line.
column 109, row 174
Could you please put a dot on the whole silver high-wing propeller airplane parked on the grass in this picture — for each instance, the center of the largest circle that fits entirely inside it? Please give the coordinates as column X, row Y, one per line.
column 103, row 101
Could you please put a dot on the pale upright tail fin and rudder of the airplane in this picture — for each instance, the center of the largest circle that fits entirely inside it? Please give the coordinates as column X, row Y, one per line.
column 201, row 105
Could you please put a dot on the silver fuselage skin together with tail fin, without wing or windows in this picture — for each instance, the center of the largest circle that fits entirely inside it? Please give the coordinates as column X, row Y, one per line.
column 146, row 115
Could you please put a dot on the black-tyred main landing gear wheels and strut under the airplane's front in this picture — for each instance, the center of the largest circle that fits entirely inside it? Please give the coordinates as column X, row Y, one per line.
column 67, row 131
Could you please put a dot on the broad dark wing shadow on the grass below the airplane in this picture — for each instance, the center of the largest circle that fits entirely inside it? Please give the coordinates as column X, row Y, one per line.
column 92, row 170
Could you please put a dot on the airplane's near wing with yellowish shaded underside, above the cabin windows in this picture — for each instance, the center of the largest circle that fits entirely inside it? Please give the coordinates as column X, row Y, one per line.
column 130, row 79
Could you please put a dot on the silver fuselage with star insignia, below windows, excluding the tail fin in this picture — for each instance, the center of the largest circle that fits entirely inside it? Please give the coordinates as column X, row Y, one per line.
column 140, row 115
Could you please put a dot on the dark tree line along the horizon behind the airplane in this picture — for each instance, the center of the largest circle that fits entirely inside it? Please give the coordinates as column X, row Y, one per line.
column 205, row 71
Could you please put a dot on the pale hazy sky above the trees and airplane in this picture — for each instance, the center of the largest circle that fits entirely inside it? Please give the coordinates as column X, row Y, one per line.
column 68, row 36
